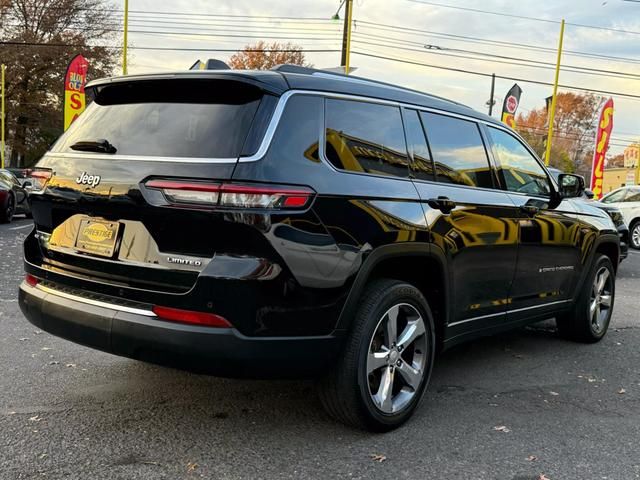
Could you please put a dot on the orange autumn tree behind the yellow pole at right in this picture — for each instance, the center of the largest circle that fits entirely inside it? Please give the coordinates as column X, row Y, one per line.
column 574, row 131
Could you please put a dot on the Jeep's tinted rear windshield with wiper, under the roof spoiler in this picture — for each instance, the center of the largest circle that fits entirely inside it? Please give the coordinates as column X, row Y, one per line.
column 169, row 118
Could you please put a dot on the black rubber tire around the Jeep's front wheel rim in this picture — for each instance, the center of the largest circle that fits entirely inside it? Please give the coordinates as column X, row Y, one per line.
column 580, row 324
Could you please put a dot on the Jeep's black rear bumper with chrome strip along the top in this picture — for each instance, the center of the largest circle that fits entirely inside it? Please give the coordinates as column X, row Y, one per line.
column 142, row 336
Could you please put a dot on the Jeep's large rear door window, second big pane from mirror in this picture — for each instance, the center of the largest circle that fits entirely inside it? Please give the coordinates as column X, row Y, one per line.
column 458, row 151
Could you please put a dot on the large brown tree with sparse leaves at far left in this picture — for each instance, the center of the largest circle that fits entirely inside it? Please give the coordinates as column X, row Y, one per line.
column 38, row 38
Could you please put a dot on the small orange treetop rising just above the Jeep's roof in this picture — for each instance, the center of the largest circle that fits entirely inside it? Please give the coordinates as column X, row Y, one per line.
column 263, row 56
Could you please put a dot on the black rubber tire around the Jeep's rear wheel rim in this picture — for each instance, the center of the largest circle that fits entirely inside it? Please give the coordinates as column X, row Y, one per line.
column 345, row 391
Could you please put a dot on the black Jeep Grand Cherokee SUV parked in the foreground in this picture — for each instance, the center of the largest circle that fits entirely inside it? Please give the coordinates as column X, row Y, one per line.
column 299, row 223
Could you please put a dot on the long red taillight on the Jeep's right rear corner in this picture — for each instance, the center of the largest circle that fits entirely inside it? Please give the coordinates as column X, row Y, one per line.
column 230, row 195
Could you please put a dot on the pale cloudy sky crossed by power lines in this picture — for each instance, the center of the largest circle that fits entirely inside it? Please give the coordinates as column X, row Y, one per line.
column 400, row 30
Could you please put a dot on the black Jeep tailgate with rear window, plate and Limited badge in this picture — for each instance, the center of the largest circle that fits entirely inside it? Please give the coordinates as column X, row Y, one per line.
column 94, row 217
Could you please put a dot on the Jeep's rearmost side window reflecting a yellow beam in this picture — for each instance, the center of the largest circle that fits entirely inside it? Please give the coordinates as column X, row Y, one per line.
column 365, row 137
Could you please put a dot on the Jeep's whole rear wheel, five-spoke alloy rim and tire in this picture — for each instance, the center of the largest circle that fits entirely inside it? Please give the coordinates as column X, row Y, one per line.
column 385, row 367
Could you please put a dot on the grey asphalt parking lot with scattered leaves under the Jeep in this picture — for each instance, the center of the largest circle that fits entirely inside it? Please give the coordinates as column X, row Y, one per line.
column 524, row 405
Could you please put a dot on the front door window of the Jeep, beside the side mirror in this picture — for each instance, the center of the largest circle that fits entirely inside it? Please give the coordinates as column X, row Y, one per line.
column 518, row 169
